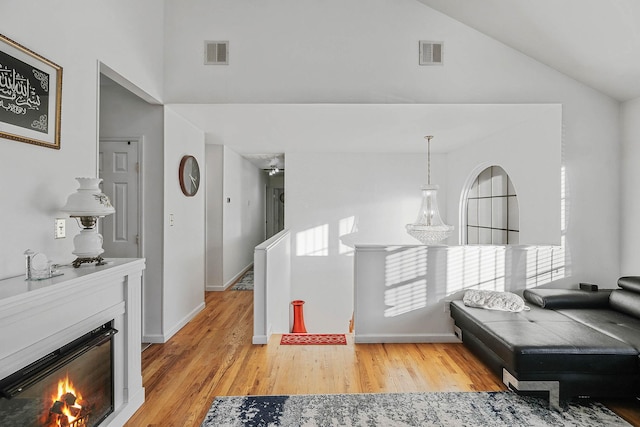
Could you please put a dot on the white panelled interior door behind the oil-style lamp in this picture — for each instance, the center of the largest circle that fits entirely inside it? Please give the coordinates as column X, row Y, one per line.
column 119, row 169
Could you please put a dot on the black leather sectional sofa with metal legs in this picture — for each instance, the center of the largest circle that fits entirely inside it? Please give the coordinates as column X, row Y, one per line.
column 572, row 343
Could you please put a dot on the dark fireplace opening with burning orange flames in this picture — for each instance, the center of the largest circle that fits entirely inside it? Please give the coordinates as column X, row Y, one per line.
column 70, row 387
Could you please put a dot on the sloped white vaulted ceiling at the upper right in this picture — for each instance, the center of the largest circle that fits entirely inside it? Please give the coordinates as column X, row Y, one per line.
column 596, row 42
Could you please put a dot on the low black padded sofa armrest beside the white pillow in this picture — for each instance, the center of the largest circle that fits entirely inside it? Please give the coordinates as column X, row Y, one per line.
column 567, row 298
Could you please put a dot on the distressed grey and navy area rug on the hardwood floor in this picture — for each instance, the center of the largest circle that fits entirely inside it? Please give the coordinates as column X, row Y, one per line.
column 406, row 409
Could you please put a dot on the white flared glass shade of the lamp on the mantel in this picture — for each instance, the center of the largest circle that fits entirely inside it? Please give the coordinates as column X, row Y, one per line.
column 88, row 200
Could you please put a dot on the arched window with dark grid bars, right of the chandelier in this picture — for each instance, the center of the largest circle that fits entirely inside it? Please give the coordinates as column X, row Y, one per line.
column 492, row 209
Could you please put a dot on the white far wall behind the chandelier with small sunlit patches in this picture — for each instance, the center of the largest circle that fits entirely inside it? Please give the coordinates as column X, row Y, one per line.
column 337, row 200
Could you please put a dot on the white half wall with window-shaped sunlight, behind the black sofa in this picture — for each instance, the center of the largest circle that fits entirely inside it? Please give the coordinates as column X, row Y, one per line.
column 402, row 293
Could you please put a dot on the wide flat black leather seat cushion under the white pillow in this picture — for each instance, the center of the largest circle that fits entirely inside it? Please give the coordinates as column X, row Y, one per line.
column 545, row 341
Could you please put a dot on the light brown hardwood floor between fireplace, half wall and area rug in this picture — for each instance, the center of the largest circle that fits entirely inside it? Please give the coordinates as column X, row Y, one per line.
column 213, row 356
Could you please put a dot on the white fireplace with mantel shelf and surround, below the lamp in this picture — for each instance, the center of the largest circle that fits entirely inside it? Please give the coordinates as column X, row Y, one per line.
column 38, row 317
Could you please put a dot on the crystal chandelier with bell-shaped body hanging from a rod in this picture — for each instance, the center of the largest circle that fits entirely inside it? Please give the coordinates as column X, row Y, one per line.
column 429, row 228
